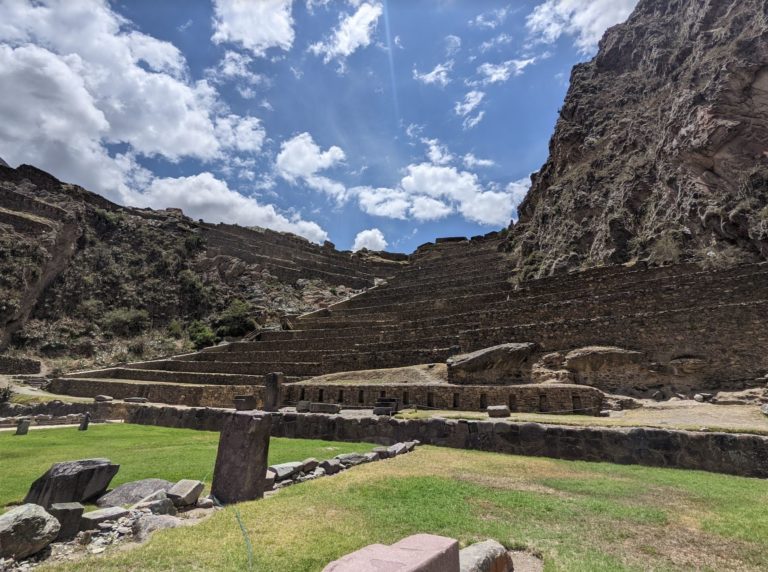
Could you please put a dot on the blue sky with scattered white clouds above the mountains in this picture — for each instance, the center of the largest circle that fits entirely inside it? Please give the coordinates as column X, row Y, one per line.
column 368, row 123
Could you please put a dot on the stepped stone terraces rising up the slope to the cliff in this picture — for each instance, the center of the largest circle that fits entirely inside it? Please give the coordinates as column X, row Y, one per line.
column 619, row 329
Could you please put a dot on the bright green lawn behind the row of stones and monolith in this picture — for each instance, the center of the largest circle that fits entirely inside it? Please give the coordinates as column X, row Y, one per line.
column 141, row 451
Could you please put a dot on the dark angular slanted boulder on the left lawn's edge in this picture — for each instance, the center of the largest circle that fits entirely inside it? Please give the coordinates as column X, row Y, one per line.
column 72, row 481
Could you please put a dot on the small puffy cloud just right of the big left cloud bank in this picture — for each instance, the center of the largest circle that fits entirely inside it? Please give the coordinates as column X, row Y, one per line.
column 301, row 159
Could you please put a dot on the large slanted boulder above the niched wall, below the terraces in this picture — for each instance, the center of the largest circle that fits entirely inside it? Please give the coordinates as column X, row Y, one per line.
column 505, row 364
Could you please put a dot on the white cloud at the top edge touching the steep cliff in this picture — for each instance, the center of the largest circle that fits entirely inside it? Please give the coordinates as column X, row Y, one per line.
column 586, row 20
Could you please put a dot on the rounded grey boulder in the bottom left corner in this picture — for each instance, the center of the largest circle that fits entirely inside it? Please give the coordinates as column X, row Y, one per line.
column 26, row 530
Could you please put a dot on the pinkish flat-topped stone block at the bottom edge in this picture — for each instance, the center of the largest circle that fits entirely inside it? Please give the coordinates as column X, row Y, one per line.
column 417, row 553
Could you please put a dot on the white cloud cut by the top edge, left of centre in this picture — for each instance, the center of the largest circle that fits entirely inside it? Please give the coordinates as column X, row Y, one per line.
column 256, row 25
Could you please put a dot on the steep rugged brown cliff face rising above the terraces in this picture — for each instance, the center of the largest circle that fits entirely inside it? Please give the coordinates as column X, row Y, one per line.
column 661, row 149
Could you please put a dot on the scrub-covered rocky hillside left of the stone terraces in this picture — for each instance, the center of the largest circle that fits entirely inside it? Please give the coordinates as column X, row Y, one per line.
column 83, row 277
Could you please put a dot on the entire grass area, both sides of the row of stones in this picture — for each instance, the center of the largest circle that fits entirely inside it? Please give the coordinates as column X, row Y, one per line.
column 578, row 516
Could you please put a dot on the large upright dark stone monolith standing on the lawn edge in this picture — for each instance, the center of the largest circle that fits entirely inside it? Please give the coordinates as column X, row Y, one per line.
column 241, row 462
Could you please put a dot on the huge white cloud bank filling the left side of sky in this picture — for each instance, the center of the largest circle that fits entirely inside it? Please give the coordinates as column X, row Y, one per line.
column 75, row 77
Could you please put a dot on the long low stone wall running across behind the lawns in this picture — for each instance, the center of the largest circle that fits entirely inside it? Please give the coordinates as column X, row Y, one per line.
column 733, row 454
